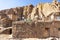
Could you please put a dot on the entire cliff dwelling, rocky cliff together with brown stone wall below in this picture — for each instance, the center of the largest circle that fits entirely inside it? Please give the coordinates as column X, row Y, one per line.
column 40, row 21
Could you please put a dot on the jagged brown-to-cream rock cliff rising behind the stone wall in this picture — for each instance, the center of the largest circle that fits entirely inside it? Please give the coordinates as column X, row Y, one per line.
column 43, row 11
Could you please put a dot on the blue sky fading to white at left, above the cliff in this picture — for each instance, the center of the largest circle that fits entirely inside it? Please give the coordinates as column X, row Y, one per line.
column 6, row 4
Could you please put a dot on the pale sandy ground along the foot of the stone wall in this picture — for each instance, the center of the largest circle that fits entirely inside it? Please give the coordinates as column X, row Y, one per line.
column 9, row 37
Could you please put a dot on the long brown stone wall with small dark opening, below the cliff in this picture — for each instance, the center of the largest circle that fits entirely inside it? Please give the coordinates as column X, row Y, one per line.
column 36, row 30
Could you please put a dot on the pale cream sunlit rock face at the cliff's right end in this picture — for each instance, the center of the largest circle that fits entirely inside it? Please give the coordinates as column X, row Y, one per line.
column 46, row 11
